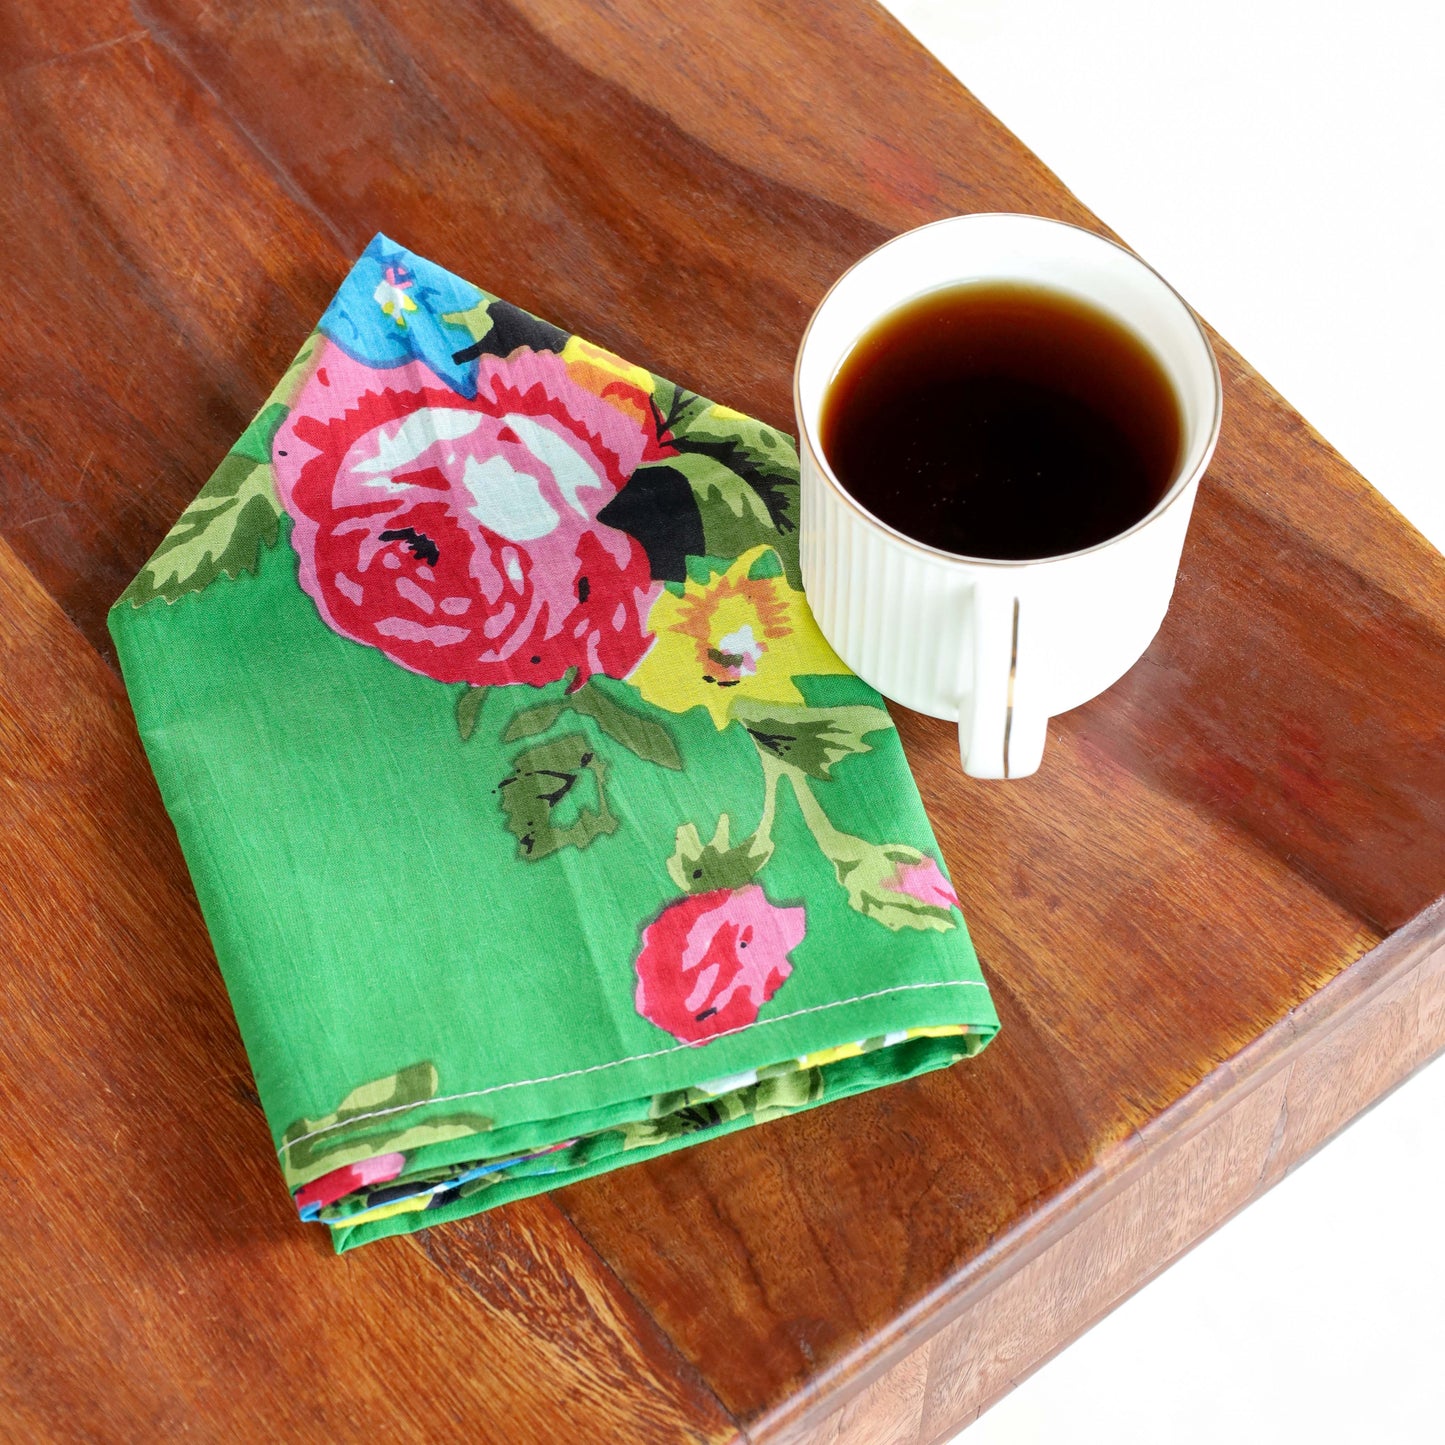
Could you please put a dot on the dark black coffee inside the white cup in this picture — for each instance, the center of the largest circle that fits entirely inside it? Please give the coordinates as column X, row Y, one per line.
column 1006, row 421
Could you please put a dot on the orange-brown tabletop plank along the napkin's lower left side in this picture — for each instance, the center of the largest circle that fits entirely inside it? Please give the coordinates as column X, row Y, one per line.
column 157, row 1285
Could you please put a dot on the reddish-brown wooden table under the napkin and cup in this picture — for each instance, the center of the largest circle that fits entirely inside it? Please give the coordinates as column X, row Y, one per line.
column 1210, row 920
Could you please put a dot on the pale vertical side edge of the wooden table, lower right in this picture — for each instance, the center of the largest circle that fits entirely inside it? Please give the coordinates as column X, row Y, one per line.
column 1209, row 1165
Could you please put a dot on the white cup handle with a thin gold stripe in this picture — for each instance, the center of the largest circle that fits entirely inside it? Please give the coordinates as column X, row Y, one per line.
column 1002, row 730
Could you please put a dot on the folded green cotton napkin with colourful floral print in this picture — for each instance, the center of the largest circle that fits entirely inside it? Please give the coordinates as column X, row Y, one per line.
column 537, row 827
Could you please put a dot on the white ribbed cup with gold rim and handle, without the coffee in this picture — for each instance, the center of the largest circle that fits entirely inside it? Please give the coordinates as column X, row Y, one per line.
column 998, row 647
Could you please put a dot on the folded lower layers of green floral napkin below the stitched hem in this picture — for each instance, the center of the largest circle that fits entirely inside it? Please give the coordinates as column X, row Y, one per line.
column 411, row 1203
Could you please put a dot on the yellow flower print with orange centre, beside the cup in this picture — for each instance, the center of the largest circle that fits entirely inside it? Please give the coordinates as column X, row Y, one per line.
column 730, row 638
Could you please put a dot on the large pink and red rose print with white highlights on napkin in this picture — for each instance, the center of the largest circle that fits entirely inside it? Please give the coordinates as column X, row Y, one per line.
column 460, row 537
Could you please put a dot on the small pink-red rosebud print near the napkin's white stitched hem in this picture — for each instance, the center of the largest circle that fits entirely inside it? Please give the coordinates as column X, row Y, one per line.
column 710, row 962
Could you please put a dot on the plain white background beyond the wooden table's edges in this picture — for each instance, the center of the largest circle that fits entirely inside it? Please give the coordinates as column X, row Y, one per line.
column 1284, row 165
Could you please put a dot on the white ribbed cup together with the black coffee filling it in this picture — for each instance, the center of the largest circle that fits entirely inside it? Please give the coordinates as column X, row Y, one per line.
column 1027, row 571
